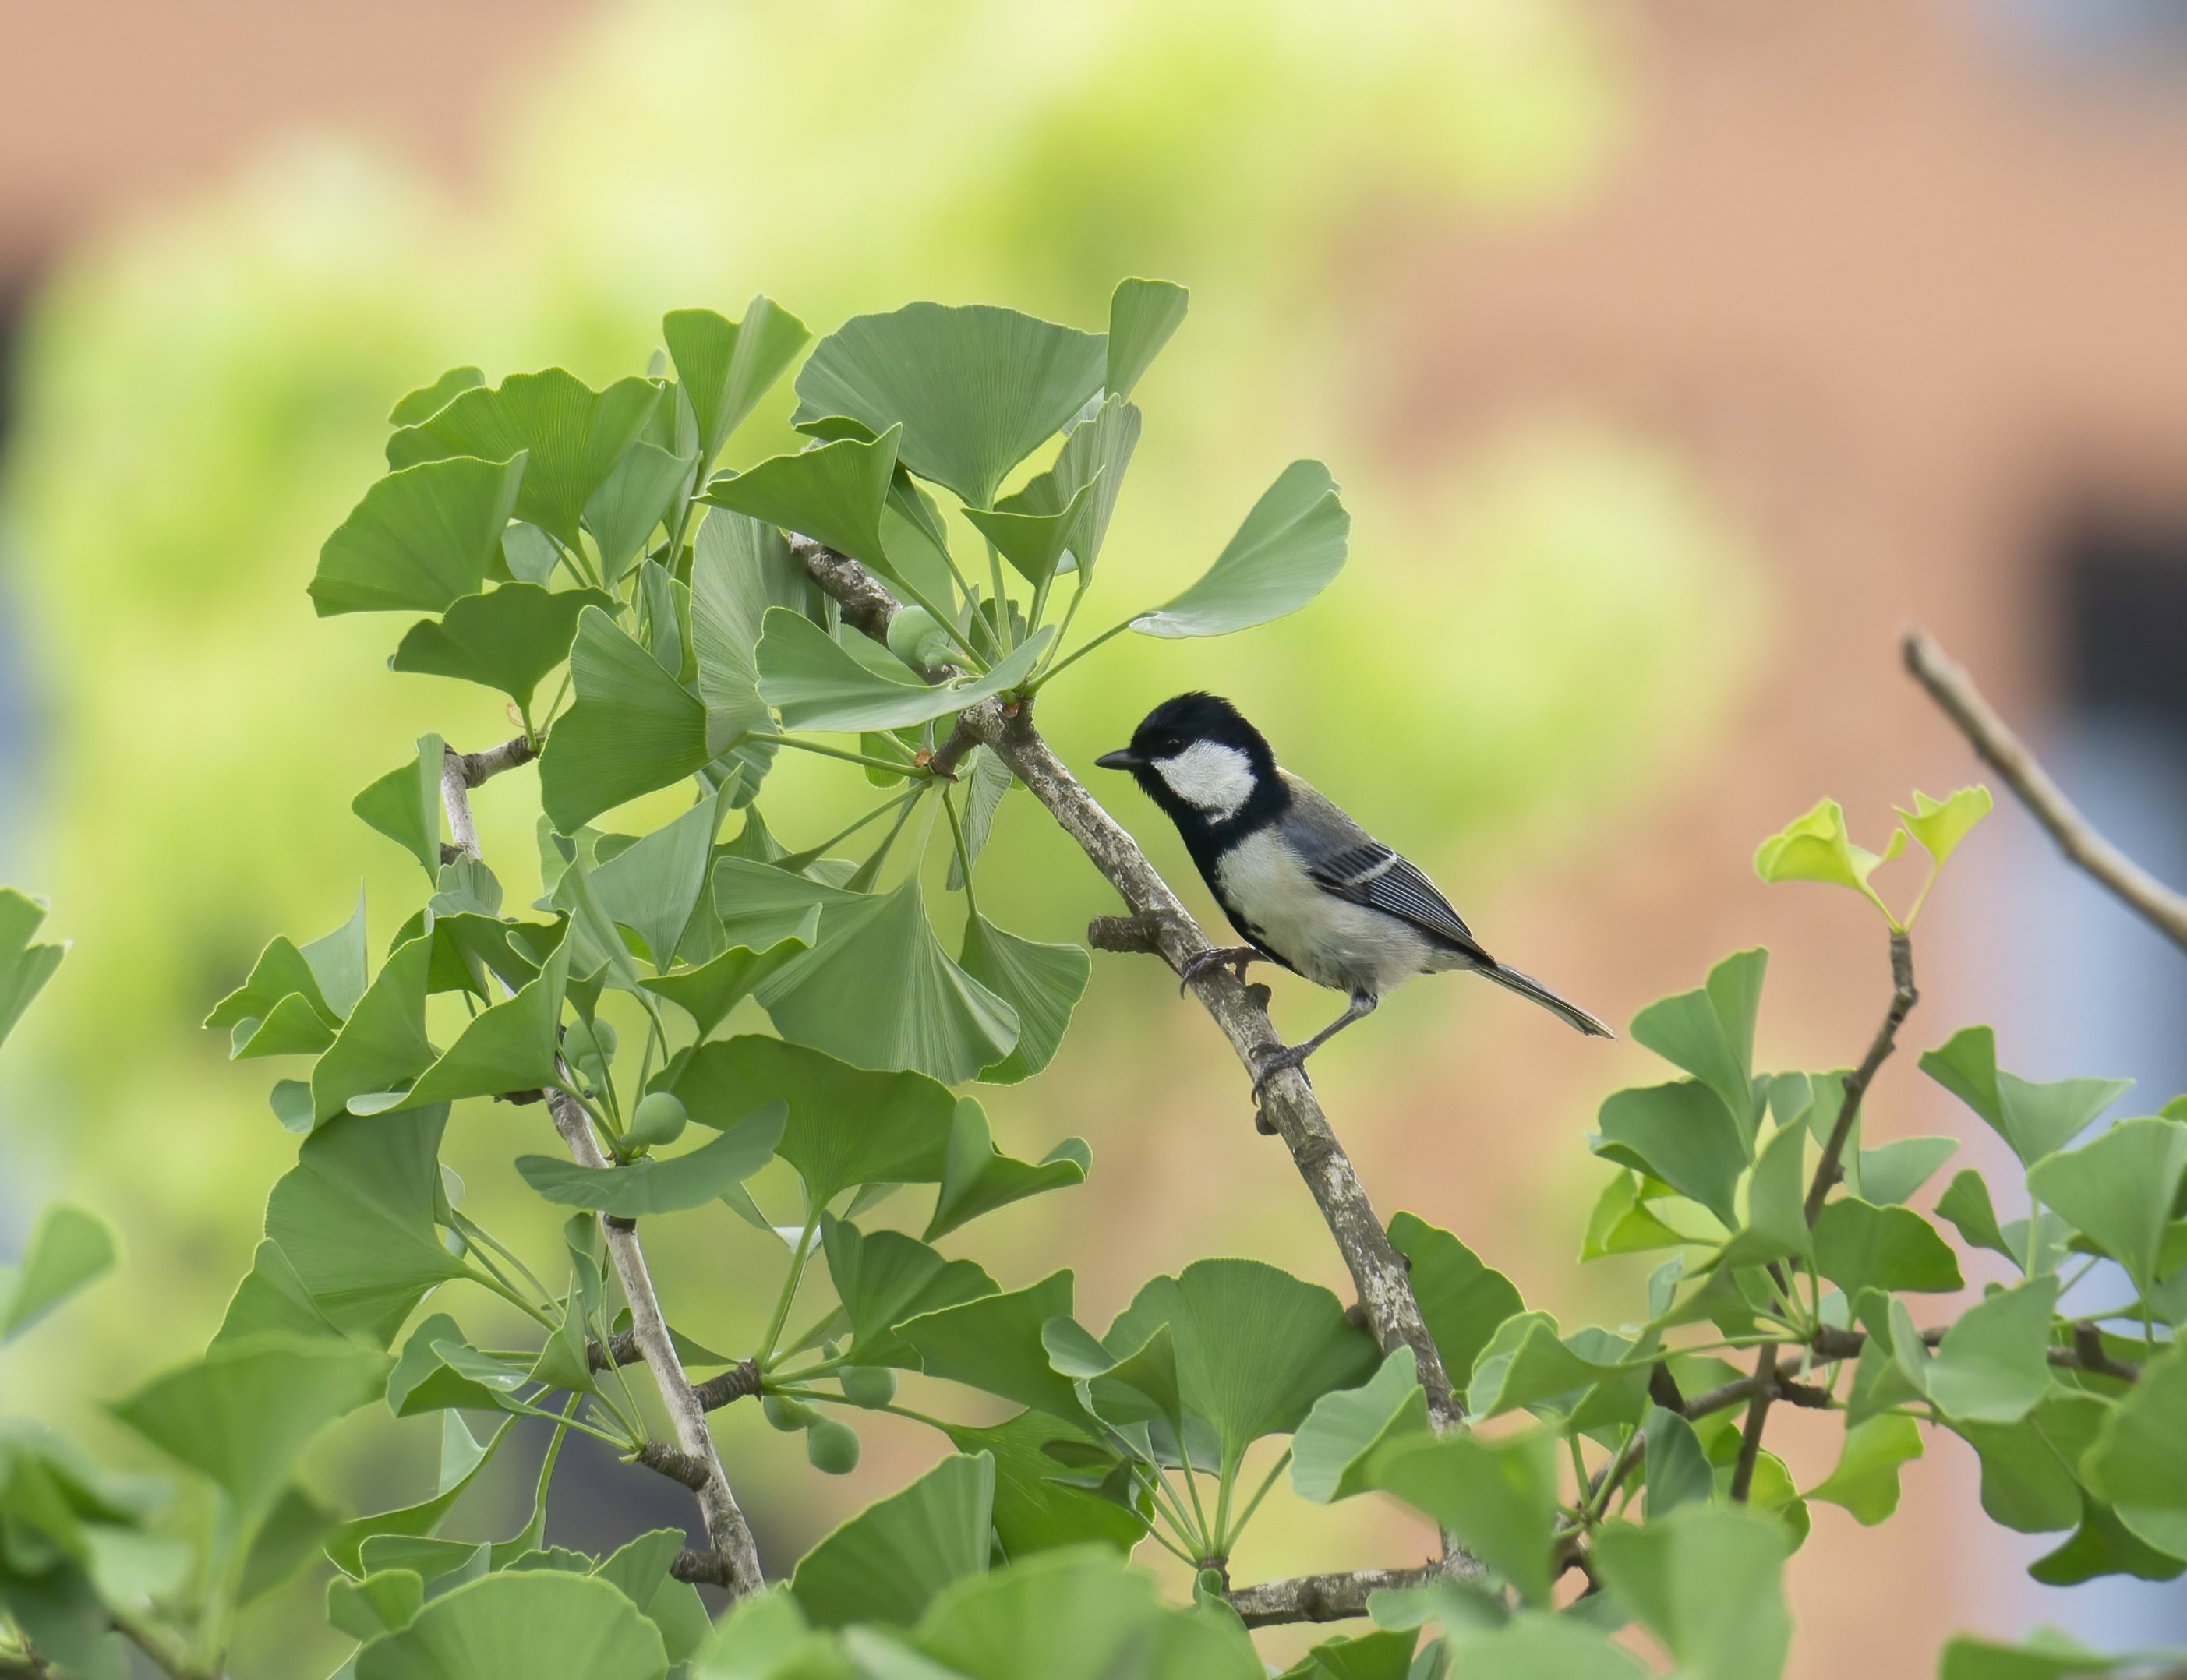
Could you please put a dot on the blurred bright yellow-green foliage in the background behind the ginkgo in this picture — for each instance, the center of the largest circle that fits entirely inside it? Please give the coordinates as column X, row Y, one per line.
column 1536, row 627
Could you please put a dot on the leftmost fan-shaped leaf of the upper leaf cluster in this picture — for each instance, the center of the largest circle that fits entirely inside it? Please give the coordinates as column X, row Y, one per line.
column 421, row 539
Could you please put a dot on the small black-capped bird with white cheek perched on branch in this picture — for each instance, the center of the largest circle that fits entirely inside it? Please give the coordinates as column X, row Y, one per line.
column 1298, row 878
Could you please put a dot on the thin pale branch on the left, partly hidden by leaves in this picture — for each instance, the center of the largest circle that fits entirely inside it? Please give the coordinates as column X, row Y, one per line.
column 736, row 1556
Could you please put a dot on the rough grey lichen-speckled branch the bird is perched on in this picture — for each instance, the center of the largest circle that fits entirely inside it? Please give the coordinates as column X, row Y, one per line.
column 1289, row 1104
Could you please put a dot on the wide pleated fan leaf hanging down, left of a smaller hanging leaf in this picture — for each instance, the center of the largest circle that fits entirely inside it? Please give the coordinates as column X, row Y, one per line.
column 880, row 992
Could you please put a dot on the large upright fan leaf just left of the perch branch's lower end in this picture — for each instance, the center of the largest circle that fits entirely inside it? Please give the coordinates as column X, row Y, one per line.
column 1254, row 1346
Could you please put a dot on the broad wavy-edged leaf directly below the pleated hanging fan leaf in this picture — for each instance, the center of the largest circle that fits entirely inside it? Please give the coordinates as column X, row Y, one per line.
column 847, row 1125
